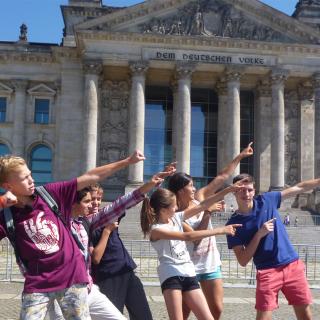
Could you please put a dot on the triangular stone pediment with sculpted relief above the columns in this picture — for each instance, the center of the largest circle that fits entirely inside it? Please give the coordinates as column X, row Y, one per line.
column 250, row 20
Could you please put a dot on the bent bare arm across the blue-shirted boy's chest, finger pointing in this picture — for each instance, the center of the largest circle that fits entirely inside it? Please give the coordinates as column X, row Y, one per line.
column 245, row 254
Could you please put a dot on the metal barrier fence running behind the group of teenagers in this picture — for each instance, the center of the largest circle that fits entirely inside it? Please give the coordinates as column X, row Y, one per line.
column 147, row 262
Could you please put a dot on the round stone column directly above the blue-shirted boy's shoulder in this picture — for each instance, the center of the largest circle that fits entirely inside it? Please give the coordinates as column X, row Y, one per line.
column 278, row 78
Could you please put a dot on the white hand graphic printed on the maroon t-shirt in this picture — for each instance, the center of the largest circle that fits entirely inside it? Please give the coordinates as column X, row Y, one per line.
column 44, row 233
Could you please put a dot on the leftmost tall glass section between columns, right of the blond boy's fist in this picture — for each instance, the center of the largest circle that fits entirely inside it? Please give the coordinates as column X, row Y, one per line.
column 158, row 130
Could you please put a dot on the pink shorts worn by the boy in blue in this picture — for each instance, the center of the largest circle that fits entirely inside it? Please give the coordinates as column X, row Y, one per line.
column 290, row 279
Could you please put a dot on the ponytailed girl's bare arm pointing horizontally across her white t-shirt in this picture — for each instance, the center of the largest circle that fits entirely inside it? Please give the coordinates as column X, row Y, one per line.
column 162, row 233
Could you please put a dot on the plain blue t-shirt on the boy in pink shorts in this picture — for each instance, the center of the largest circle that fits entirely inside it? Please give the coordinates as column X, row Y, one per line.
column 275, row 249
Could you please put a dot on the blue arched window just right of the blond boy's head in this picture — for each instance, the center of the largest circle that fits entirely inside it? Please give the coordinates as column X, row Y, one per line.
column 41, row 164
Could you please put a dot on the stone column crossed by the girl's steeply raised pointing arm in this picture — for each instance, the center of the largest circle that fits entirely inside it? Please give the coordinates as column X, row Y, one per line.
column 232, row 112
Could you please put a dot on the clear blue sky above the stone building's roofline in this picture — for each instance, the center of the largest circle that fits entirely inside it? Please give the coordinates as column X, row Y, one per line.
column 44, row 19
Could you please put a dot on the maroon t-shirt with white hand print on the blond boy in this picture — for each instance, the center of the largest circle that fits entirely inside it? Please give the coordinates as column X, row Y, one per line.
column 53, row 259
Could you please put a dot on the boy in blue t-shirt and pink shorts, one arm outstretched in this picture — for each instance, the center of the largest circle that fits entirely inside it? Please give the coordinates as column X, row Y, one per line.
column 264, row 238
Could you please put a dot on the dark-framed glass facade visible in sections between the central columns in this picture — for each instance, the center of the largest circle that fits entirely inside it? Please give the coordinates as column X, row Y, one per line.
column 204, row 124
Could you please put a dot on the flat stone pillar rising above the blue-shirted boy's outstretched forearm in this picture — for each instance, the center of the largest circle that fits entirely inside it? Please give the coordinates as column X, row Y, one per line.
column 306, row 130
